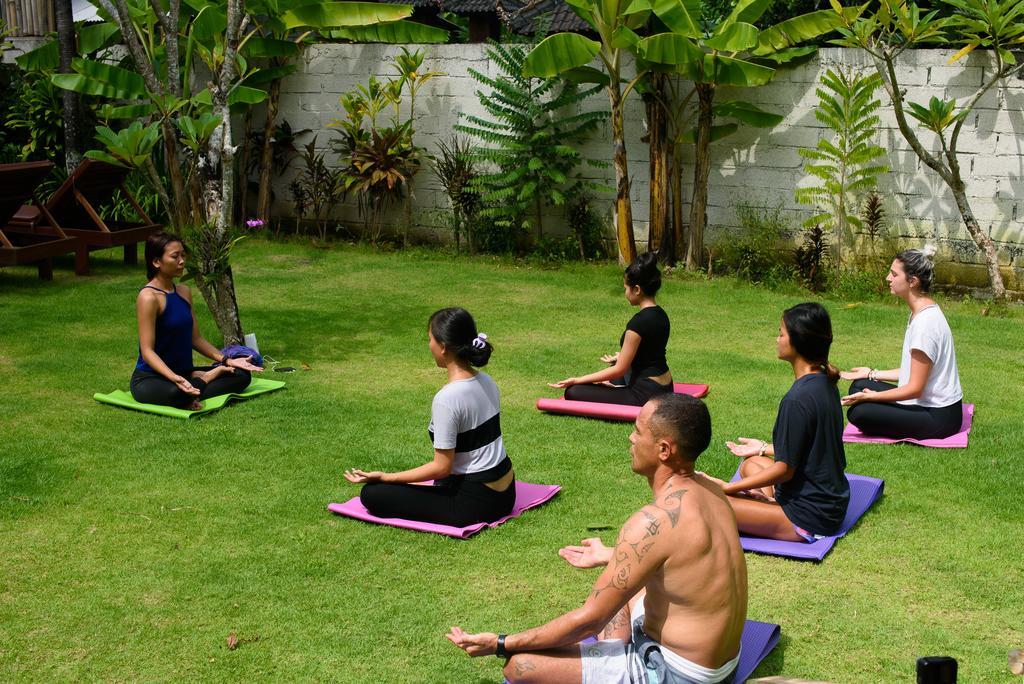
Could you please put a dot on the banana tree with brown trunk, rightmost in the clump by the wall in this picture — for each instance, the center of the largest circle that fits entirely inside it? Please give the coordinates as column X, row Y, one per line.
column 731, row 53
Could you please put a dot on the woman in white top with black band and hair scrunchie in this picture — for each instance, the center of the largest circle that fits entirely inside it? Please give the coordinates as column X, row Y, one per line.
column 474, row 478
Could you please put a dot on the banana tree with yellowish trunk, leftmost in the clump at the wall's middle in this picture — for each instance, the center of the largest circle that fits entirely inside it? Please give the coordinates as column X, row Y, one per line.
column 616, row 23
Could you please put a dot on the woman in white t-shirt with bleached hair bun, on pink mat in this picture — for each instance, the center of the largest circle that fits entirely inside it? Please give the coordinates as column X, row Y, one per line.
column 927, row 402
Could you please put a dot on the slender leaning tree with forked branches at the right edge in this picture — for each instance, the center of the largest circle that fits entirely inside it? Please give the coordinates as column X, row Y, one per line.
column 997, row 26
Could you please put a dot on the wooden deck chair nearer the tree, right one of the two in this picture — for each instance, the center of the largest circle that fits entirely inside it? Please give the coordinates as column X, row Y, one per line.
column 76, row 205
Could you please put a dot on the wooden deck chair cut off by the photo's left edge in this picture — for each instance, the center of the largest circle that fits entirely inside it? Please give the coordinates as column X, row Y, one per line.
column 19, row 184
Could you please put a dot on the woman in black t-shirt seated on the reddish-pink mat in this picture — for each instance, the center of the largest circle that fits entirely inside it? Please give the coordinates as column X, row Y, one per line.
column 639, row 367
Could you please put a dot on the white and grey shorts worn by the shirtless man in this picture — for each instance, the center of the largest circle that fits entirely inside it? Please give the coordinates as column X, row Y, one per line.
column 644, row 661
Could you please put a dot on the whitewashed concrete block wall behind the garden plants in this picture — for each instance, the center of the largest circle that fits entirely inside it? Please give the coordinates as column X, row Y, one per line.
column 754, row 166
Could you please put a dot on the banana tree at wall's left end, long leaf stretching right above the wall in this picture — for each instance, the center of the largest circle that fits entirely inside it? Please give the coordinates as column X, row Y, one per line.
column 281, row 29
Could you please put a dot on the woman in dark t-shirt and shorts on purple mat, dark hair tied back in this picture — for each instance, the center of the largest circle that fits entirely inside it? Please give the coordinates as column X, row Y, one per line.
column 795, row 489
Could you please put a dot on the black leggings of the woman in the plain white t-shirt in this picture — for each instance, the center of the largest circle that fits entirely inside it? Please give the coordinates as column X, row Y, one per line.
column 902, row 420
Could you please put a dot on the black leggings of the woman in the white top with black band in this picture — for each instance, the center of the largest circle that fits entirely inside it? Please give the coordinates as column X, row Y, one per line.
column 452, row 501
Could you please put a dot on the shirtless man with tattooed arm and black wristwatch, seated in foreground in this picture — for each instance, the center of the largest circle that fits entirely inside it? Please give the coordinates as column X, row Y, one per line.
column 671, row 604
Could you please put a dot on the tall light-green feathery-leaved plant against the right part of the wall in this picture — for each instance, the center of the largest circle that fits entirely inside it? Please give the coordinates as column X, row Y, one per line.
column 844, row 166
